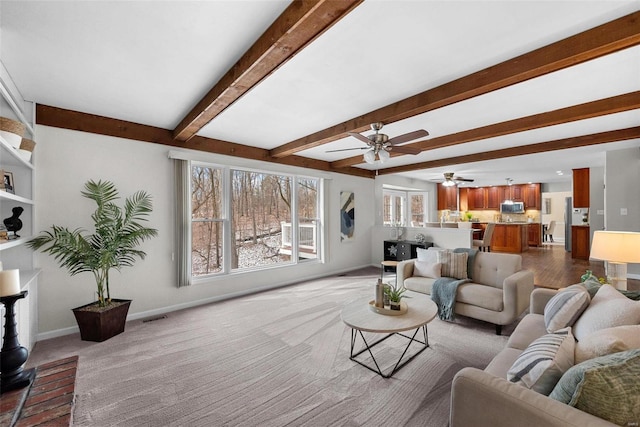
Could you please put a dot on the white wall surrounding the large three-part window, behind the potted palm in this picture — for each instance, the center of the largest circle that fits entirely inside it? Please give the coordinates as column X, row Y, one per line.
column 66, row 159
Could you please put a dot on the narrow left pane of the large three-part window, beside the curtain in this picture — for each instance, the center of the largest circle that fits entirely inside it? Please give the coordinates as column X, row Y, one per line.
column 206, row 214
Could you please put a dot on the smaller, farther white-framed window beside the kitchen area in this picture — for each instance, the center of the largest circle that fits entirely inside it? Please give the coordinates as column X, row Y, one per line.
column 404, row 208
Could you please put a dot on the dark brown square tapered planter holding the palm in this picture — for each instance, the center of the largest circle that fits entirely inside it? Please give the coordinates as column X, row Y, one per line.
column 100, row 325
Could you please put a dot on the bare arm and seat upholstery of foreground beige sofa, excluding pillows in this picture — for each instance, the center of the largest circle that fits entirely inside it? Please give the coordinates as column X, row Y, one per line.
column 487, row 399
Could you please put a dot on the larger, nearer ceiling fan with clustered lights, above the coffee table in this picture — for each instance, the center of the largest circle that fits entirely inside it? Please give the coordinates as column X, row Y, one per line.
column 380, row 144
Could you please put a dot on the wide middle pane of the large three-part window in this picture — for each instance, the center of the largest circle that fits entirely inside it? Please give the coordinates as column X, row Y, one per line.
column 260, row 204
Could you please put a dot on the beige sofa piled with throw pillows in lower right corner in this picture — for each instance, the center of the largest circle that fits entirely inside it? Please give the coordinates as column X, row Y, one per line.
column 491, row 398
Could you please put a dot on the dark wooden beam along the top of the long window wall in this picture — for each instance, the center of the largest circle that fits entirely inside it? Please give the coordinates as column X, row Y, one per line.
column 84, row 122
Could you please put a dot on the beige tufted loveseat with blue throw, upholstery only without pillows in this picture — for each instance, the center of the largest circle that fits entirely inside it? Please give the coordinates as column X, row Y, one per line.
column 498, row 293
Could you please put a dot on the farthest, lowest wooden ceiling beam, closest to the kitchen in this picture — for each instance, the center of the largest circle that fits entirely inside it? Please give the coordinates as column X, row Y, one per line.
column 523, row 150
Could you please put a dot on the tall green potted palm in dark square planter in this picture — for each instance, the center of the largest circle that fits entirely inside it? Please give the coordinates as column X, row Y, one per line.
column 113, row 245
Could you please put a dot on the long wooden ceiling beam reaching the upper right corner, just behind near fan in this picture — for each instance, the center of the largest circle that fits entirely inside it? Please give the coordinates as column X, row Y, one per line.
column 602, row 40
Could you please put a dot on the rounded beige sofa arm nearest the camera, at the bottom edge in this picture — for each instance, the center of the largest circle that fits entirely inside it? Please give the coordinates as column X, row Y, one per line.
column 480, row 399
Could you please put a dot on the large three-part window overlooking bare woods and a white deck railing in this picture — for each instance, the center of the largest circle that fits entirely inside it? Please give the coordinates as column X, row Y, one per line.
column 242, row 219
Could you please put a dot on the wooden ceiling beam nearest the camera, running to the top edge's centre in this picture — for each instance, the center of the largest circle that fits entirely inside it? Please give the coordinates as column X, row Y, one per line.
column 300, row 24
